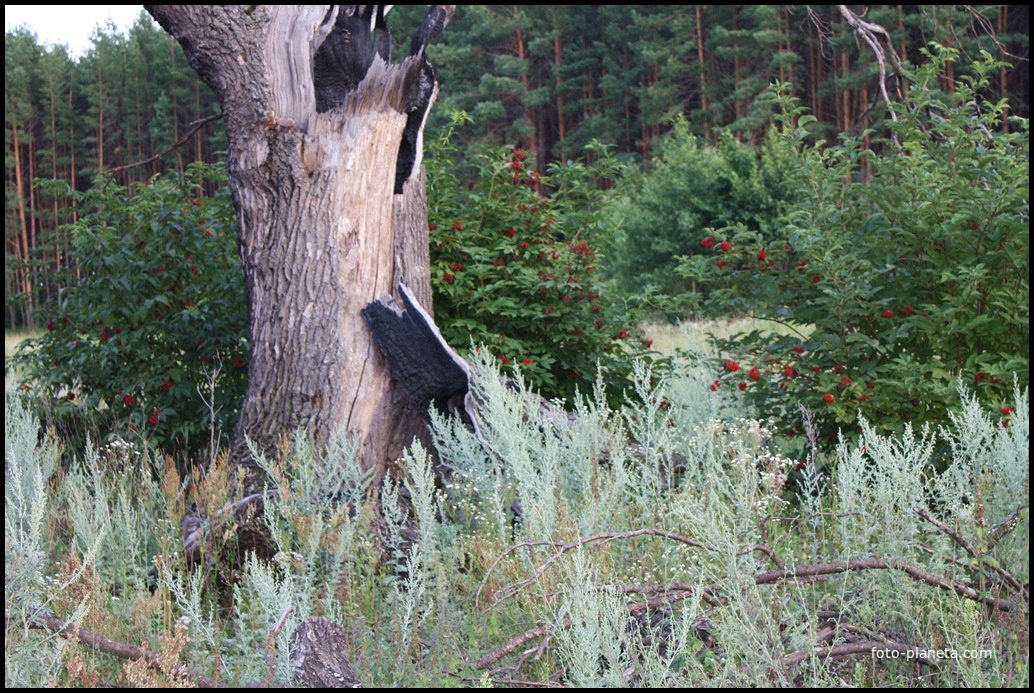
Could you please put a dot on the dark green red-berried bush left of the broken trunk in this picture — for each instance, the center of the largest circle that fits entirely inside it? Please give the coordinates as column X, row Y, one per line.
column 153, row 339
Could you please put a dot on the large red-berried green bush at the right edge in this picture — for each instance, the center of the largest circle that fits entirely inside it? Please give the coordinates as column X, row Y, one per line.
column 901, row 273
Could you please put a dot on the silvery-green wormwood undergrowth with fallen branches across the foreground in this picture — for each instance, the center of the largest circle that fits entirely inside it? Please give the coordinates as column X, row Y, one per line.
column 666, row 545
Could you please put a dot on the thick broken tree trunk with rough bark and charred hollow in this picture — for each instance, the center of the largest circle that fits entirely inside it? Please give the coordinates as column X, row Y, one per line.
column 324, row 164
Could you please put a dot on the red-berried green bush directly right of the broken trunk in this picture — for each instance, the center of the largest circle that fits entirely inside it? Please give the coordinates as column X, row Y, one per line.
column 514, row 272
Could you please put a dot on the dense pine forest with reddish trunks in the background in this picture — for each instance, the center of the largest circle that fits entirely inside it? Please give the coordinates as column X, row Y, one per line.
column 550, row 79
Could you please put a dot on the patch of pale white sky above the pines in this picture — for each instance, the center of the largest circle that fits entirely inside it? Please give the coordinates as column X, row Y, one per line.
column 71, row 25
